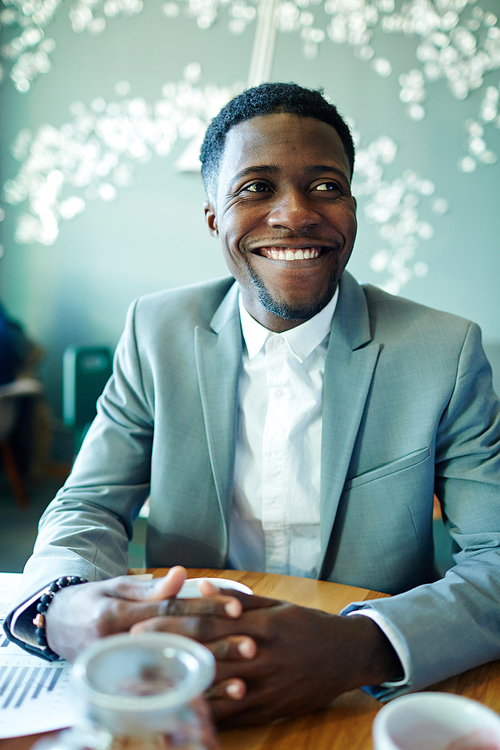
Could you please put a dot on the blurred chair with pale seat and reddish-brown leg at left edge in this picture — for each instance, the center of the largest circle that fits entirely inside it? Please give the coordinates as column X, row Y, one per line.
column 11, row 397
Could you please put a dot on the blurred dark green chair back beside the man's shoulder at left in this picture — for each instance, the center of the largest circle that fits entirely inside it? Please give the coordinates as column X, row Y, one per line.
column 86, row 370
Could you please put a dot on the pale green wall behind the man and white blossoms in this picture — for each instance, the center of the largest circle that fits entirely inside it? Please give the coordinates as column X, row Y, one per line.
column 153, row 235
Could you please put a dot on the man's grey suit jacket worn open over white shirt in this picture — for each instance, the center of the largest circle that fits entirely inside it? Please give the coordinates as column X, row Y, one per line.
column 408, row 409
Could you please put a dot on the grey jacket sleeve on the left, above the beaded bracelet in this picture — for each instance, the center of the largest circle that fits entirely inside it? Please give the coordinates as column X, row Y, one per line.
column 85, row 530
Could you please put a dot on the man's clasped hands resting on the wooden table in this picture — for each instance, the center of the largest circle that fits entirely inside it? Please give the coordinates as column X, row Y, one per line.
column 273, row 658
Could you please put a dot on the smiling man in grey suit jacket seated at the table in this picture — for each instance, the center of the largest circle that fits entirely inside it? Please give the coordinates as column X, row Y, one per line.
column 292, row 422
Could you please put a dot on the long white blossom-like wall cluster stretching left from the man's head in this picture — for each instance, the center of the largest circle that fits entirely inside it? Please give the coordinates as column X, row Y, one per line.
column 92, row 157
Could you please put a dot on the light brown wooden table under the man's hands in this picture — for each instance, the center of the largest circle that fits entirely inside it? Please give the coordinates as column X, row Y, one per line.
column 346, row 724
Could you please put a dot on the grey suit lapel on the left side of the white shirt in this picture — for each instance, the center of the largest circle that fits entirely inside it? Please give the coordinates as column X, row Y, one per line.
column 218, row 360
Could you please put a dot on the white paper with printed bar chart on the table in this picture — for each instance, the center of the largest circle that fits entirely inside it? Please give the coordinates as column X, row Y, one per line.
column 35, row 695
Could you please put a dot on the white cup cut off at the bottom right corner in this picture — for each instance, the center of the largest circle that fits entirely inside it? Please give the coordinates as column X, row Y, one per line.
column 435, row 721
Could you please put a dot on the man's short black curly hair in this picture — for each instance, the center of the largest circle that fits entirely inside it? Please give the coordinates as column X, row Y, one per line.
column 267, row 99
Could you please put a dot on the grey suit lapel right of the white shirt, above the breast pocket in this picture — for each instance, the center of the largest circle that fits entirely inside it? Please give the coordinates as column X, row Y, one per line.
column 350, row 362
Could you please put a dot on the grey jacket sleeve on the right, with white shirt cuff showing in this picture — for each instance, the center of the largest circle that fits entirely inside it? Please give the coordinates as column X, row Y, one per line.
column 453, row 624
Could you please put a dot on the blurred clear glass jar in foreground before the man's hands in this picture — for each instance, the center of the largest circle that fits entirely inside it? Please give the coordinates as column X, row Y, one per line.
column 141, row 692
